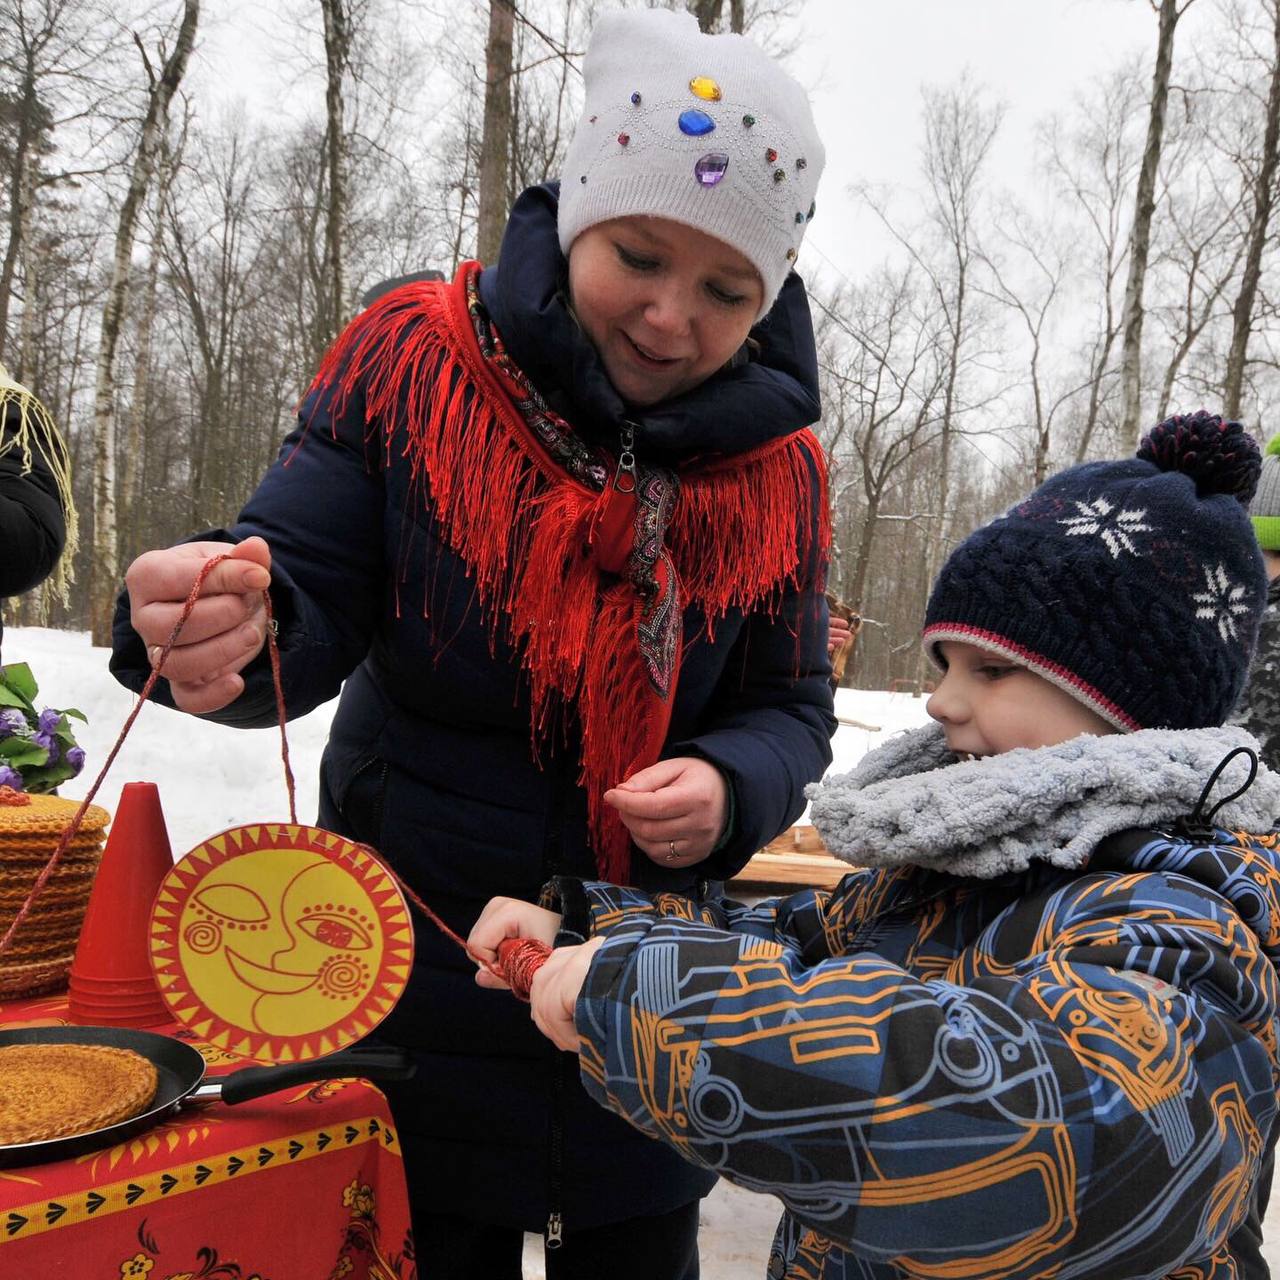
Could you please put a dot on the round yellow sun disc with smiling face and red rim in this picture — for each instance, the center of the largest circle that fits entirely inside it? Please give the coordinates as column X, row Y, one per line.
column 280, row 943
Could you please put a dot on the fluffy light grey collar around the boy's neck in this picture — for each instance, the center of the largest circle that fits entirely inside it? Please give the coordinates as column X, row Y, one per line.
column 912, row 802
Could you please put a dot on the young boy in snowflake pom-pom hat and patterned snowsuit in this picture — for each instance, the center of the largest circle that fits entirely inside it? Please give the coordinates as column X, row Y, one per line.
column 1037, row 1036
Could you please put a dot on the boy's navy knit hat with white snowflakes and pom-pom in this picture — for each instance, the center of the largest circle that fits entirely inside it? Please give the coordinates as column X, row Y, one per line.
column 1137, row 587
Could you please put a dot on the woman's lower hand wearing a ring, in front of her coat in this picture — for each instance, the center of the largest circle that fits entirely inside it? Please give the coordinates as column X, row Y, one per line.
column 675, row 810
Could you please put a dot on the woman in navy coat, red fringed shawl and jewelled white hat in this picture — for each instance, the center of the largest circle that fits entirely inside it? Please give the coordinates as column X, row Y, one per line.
column 560, row 528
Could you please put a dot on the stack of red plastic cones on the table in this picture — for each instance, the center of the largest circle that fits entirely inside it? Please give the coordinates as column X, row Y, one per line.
column 113, row 945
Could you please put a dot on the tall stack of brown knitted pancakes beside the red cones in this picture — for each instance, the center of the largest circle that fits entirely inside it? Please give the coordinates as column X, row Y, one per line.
column 40, row 956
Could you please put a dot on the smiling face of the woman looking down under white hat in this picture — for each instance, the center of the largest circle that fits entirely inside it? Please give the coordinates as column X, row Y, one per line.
column 664, row 304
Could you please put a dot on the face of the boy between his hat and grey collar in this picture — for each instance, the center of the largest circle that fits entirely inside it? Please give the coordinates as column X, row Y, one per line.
column 989, row 705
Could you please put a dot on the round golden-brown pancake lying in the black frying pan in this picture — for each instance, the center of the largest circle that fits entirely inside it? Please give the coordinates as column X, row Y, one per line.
column 56, row 1091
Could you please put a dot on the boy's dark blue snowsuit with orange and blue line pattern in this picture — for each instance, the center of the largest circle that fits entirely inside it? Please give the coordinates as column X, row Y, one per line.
column 1054, row 1073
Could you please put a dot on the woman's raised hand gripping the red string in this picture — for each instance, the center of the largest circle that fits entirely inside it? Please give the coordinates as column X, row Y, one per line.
column 227, row 628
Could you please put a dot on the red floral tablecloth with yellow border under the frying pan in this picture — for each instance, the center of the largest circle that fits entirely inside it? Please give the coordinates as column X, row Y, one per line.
column 304, row 1185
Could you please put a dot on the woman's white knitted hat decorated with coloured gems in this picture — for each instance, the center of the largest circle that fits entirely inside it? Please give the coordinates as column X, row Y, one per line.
column 703, row 130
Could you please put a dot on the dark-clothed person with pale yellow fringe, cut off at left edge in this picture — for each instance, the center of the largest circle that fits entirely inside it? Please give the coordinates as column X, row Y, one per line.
column 38, row 518
